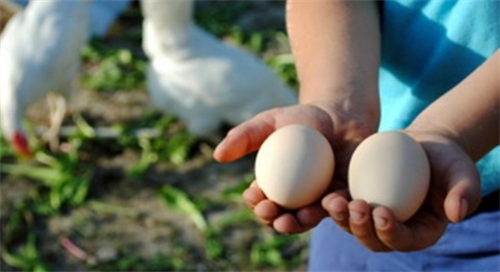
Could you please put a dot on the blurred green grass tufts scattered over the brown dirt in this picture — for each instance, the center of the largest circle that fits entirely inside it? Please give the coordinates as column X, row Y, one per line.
column 60, row 183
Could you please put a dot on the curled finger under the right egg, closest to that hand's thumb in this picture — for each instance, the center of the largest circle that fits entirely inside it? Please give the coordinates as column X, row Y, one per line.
column 420, row 232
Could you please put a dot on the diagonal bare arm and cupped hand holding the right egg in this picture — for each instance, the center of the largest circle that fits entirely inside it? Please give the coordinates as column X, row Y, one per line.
column 455, row 130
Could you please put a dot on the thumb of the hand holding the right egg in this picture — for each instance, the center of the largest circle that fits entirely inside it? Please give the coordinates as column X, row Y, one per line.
column 464, row 193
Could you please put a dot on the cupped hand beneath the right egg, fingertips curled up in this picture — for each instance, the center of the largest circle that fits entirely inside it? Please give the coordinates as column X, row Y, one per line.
column 454, row 193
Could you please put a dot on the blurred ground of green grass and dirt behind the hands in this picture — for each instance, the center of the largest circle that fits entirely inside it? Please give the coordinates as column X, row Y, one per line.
column 130, row 188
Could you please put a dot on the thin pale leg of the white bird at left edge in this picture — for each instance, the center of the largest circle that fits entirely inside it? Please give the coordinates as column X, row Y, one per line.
column 57, row 110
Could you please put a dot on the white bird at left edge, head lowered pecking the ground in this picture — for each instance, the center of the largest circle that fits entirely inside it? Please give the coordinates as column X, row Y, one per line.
column 40, row 54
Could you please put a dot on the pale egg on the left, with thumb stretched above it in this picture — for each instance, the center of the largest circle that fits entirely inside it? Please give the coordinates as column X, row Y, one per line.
column 294, row 166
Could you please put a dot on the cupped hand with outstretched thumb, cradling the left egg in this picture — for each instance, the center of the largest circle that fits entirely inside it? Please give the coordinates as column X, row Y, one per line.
column 343, row 131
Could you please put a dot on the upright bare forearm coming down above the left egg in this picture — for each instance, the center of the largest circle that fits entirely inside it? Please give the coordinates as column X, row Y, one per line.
column 336, row 45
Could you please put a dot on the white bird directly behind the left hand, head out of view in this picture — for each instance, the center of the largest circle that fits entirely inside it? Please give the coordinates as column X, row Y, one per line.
column 200, row 79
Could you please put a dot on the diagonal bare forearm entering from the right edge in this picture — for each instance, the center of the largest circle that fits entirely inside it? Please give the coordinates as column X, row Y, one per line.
column 470, row 112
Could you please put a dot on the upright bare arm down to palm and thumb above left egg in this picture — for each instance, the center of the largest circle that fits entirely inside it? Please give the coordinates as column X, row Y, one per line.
column 336, row 45
